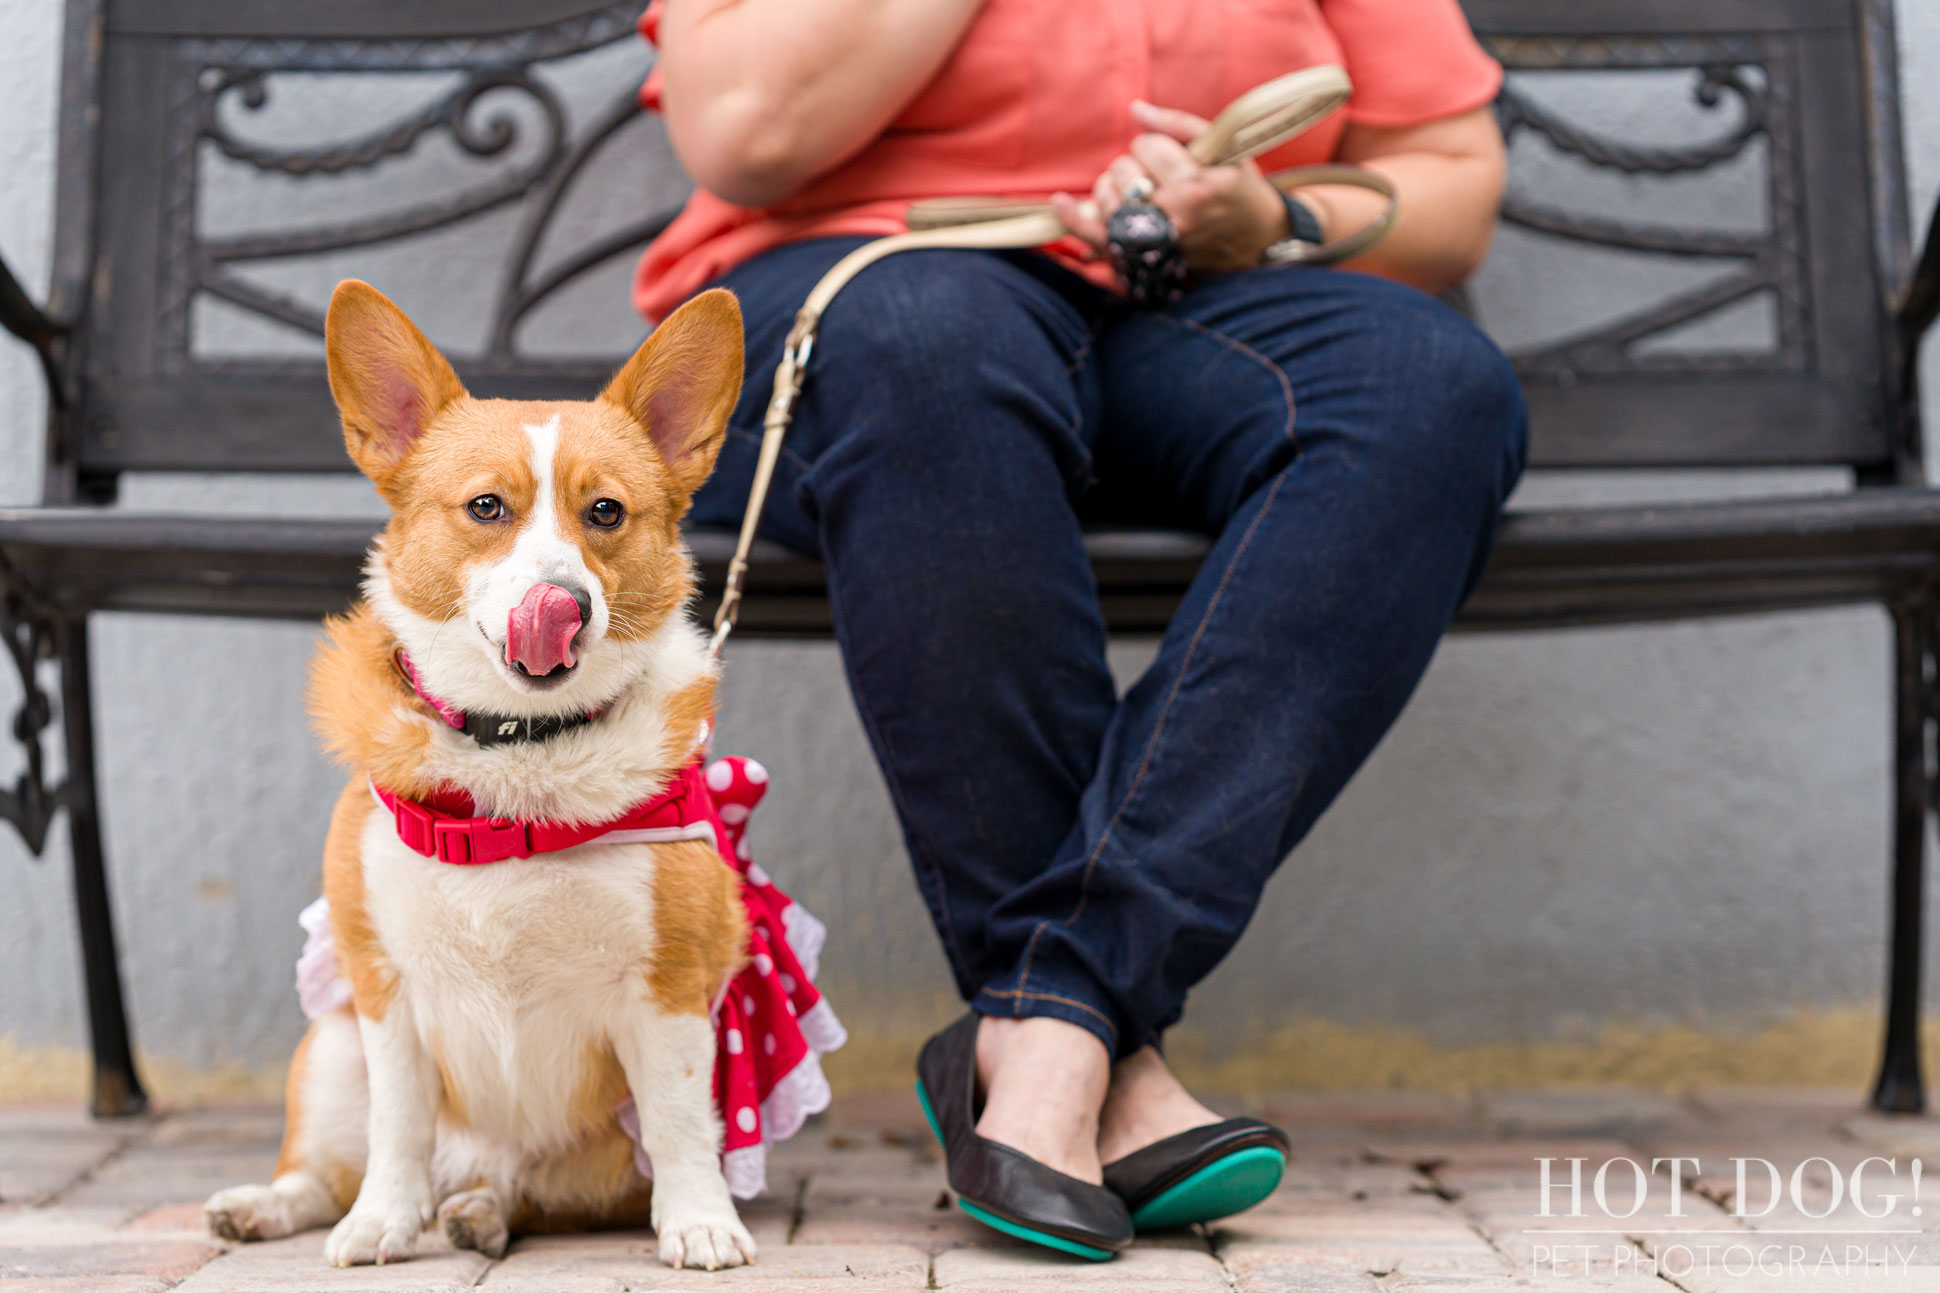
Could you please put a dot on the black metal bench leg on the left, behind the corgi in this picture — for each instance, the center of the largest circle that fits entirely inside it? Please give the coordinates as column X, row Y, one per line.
column 117, row 1088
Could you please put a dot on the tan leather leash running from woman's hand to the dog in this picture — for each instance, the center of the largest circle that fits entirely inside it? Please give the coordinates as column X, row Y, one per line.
column 1254, row 123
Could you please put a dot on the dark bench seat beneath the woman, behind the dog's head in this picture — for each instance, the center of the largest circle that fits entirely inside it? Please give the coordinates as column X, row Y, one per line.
column 1553, row 568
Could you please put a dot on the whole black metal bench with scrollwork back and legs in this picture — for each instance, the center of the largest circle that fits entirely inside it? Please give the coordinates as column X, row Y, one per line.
column 1797, row 98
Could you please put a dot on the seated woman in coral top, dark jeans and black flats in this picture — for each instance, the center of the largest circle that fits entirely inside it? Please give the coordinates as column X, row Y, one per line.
column 1345, row 440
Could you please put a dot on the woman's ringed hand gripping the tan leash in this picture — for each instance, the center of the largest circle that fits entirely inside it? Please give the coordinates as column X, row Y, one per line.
column 1227, row 216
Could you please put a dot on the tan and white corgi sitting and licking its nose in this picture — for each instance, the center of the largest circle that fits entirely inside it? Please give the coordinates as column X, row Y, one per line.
column 533, row 572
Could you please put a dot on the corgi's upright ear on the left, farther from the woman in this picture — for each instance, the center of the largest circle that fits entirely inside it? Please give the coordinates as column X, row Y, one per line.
column 389, row 380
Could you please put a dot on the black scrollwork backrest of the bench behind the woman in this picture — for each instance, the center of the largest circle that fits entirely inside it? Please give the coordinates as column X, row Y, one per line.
column 181, row 83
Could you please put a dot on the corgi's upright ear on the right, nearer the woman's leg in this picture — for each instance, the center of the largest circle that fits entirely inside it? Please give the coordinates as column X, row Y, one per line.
column 684, row 381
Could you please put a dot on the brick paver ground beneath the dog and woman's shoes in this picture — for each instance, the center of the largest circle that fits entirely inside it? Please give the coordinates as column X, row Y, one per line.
column 1386, row 1193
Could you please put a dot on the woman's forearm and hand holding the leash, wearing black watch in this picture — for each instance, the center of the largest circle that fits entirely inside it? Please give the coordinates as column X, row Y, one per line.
column 1448, row 176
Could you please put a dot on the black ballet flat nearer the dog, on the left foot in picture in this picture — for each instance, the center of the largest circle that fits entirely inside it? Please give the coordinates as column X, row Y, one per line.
column 998, row 1185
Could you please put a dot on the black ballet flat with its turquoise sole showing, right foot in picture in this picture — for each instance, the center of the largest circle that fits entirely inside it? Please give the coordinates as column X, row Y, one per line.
column 1200, row 1176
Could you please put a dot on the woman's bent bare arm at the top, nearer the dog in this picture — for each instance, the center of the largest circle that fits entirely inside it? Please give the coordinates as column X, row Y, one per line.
column 763, row 96
